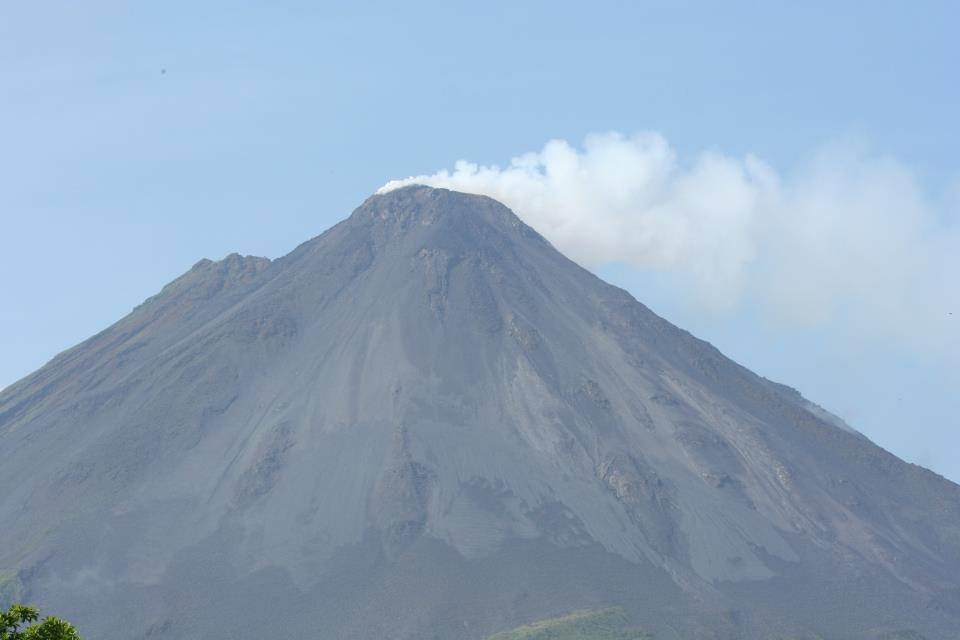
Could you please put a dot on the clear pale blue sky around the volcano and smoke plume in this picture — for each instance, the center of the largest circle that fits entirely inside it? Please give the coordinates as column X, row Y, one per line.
column 136, row 138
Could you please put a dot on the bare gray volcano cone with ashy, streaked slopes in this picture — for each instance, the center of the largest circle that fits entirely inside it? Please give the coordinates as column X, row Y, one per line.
column 428, row 423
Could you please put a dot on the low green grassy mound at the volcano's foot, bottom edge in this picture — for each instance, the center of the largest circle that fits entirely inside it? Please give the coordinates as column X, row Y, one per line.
column 606, row 624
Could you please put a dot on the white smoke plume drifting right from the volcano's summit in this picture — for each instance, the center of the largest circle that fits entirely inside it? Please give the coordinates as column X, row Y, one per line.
column 850, row 239
